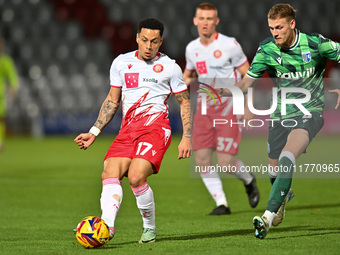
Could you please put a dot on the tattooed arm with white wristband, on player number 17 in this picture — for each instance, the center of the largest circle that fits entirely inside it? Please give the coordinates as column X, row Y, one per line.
column 106, row 114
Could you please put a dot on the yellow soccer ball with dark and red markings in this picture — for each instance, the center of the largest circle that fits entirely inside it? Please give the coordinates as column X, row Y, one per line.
column 92, row 232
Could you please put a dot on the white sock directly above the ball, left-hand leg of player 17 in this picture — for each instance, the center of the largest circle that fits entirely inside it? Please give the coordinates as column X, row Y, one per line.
column 111, row 198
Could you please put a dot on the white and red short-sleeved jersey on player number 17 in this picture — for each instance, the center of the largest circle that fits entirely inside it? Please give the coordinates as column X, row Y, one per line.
column 146, row 86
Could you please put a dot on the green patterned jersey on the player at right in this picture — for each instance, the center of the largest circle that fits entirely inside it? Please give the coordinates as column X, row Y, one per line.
column 300, row 66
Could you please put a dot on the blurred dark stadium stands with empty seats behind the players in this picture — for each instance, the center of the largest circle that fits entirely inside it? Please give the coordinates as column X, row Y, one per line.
column 63, row 50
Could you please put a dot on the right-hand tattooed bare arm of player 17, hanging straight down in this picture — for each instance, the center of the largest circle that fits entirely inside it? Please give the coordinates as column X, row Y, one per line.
column 184, row 148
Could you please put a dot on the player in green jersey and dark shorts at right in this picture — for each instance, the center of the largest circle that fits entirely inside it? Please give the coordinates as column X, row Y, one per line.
column 293, row 59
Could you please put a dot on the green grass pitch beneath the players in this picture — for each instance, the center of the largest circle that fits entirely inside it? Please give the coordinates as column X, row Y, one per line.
column 47, row 186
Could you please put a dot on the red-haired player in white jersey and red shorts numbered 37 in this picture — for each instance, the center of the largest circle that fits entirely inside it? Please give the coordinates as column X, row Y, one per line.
column 215, row 58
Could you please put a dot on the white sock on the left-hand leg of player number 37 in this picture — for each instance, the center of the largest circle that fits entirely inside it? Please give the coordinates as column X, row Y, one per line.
column 214, row 185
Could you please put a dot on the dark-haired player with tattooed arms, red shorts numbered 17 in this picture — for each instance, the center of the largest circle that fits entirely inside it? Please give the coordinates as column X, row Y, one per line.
column 143, row 80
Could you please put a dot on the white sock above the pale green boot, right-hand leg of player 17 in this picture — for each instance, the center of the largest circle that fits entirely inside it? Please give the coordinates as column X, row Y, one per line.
column 145, row 204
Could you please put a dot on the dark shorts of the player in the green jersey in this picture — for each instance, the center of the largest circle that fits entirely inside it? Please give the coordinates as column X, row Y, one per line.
column 279, row 131
